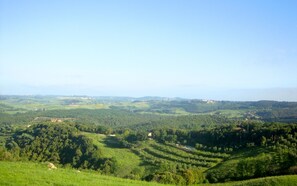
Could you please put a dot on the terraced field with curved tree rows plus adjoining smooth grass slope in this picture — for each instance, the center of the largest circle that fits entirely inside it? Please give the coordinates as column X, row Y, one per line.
column 154, row 153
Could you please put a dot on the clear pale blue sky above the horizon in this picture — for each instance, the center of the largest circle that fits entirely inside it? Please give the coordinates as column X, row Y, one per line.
column 201, row 49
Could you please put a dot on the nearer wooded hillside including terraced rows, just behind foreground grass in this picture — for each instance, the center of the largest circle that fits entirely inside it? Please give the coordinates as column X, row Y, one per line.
column 220, row 154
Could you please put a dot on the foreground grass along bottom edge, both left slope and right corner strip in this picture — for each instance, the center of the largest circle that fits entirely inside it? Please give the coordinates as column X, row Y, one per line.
column 28, row 173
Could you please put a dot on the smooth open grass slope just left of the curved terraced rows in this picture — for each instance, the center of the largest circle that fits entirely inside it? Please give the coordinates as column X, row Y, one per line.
column 127, row 160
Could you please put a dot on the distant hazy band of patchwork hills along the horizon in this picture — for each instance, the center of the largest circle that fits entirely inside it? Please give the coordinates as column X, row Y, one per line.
column 263, row 110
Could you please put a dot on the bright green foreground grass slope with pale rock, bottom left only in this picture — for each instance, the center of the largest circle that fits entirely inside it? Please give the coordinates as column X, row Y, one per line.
column 26, row 173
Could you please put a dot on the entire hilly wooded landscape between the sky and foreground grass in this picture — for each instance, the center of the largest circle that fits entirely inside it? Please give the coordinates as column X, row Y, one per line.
column 211, row 142
